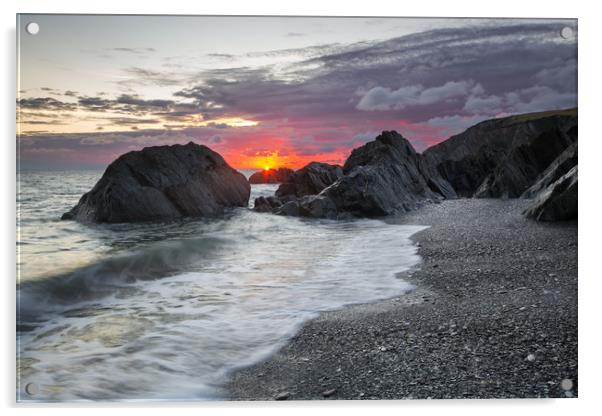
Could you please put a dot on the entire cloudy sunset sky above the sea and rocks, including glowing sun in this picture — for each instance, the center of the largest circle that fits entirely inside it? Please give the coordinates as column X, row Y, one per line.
column 275, row 91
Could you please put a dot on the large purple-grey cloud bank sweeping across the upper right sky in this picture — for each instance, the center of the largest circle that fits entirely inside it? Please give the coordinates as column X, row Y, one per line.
column 505, row 68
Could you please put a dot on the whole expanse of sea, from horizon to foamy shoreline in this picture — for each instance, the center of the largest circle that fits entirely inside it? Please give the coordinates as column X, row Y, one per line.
column 168, row 310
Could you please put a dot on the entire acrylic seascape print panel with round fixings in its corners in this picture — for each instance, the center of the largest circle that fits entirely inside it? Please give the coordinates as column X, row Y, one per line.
column 287, row 208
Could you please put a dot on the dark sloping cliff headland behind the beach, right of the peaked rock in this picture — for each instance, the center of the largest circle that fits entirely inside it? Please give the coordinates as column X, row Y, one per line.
column 489, row 156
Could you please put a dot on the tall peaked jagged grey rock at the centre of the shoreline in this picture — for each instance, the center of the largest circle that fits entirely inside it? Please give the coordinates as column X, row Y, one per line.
column 383, row 177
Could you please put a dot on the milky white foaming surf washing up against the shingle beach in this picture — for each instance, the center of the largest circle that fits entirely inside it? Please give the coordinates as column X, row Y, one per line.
column 179, row 337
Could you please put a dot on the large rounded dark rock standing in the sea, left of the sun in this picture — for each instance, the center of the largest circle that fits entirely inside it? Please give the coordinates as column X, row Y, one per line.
column 161, row 183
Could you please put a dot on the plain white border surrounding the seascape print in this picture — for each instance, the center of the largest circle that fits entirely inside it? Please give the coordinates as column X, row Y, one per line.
column 590, row 138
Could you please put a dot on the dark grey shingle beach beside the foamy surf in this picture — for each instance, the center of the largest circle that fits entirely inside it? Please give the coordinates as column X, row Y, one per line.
column 493, row 315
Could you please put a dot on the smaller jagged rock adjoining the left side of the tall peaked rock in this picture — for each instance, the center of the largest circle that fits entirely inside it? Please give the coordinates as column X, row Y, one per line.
column 310, row 180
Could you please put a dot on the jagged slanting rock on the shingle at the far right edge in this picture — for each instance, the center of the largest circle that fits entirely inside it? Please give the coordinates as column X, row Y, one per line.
column 557, row 202
